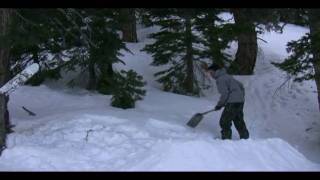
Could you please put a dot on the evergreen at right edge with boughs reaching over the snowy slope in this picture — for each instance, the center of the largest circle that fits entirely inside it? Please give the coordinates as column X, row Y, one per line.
column 304, row 60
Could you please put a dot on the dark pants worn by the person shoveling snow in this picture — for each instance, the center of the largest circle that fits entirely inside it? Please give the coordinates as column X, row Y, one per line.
column 233, row 112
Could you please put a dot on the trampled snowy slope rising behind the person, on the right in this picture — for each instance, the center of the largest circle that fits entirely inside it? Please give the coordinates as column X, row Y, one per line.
column 290, row 113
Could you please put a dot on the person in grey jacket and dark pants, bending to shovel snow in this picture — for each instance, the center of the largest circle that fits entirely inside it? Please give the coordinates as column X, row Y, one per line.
column 232, row 99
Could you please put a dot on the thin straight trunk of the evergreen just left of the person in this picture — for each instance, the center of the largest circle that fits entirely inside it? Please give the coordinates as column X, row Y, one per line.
column 189, row 81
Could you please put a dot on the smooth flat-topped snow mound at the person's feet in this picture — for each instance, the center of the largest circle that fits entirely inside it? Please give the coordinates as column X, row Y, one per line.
column 218, row 155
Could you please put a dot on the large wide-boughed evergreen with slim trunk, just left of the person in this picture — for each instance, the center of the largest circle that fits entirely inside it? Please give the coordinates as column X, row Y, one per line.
column 176, row 46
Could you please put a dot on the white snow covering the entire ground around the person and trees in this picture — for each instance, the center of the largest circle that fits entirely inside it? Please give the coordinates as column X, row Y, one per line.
column 77, row 130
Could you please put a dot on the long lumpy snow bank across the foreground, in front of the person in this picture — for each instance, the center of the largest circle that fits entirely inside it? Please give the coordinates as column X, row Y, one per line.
column 90, row 142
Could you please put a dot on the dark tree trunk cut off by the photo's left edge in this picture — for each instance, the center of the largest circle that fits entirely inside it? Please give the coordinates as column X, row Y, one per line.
column 4, row 76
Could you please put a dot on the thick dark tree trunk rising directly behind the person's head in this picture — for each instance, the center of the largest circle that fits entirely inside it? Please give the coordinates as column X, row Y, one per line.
column 246, row 55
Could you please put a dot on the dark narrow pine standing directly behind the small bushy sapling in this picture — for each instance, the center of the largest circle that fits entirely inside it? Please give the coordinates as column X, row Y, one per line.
column 107, row 50
